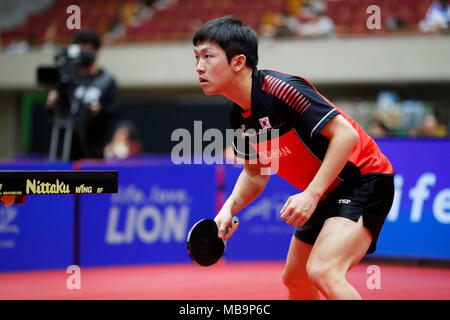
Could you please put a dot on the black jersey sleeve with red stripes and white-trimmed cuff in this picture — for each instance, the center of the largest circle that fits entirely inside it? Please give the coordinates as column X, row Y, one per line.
column 309, row 109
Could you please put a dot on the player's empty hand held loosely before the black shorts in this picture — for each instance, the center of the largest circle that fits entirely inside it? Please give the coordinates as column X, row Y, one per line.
column 299, row 208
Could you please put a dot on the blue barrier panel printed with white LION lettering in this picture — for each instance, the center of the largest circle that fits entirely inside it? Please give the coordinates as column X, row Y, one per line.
column 148, row 220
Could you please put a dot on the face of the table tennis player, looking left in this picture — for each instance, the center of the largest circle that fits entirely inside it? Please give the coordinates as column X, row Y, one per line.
column 214, row 71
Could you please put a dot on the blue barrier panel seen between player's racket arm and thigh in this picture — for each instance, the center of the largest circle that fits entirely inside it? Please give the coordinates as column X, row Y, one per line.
column 262, row 235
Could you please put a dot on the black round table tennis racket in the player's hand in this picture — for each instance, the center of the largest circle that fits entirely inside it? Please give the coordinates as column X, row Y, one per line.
column 203, row 244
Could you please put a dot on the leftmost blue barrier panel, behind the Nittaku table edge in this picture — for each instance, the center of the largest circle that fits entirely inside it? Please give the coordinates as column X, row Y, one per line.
column 39, row 233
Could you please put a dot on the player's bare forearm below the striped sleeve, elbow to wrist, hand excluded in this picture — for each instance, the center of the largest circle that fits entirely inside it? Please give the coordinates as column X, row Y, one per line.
column 339, row 150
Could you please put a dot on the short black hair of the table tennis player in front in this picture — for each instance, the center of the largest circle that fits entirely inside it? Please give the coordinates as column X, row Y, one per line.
column 232, row 36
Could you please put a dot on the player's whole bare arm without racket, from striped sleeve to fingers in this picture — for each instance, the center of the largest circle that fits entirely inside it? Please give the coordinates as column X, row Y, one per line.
column 342, row 139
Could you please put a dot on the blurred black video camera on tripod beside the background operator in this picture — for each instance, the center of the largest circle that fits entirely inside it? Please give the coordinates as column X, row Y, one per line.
column 63, row 77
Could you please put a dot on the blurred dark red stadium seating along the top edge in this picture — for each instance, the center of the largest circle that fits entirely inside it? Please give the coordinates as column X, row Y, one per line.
column 180, row 18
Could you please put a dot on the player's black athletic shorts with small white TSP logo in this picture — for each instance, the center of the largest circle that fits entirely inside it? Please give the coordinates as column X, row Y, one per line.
column 370, row 195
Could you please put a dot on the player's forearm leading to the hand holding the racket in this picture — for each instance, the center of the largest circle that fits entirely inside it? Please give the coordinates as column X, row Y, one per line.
column 247, row 188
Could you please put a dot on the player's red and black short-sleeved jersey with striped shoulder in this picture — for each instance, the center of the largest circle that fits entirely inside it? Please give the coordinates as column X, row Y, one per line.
column 292, row 105
